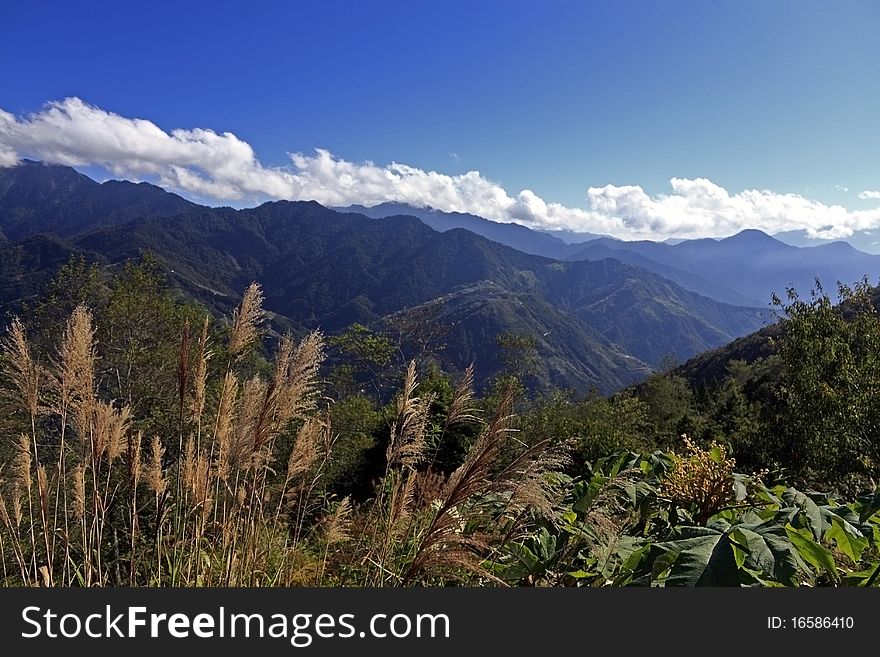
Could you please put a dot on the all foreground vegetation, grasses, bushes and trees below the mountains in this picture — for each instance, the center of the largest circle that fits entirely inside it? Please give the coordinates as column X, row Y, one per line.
column 148, row 442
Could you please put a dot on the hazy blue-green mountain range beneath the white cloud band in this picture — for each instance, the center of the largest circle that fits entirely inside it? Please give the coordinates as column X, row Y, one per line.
column 603, row 313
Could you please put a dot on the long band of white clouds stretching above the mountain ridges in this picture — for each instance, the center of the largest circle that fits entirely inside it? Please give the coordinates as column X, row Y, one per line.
column 225, row 168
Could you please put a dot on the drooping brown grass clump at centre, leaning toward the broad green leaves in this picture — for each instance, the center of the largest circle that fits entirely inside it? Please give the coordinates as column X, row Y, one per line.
column 424, row 527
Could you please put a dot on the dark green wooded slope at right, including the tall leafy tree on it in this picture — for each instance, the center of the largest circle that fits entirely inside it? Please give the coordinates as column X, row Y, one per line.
column 799, row 398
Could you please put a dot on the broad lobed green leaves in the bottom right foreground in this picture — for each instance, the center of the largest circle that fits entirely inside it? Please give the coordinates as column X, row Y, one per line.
column 615, row 527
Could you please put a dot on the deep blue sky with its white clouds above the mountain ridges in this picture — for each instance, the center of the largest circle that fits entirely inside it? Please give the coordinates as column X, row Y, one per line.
column 550, row 97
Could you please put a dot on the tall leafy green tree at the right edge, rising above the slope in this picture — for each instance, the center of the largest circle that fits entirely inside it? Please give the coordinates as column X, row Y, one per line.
column 827, row 424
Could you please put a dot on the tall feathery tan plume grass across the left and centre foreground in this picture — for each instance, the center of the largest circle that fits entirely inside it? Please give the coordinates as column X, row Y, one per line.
column 235, row 497
